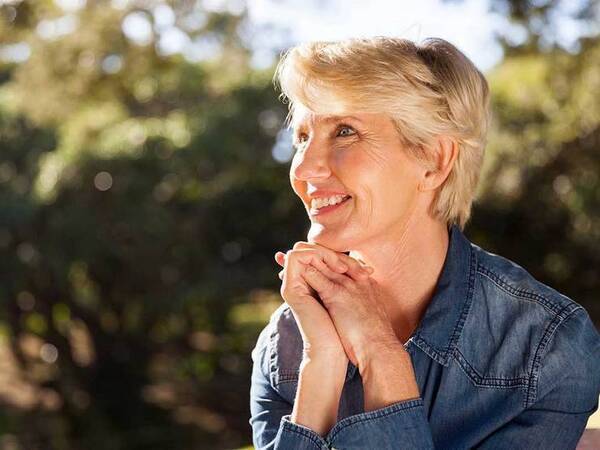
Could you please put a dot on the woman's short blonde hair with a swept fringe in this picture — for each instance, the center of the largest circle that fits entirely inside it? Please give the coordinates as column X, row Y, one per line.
column 428, row 89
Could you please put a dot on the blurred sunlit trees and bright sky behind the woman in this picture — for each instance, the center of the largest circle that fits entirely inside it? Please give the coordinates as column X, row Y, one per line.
column 144, row 190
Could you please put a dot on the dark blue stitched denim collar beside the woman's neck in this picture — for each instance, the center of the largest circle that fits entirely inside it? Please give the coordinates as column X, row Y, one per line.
column 441, row 326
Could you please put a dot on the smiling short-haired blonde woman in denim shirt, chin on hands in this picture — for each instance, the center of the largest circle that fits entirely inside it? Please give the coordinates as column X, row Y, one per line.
column 396, row 331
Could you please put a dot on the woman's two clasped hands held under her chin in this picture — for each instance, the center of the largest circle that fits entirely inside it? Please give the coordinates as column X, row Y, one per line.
column 338, row 307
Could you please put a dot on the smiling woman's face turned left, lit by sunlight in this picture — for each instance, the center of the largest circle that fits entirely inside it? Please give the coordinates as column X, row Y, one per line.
column 360, row 155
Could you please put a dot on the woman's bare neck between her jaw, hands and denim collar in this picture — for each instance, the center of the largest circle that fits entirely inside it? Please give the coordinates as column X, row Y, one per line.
column 407, row 267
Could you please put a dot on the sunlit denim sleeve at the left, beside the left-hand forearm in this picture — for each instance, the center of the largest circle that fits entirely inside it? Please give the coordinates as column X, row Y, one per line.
column 270, row 413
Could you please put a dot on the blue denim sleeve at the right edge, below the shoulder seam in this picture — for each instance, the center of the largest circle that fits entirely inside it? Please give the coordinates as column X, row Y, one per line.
column 568, row 385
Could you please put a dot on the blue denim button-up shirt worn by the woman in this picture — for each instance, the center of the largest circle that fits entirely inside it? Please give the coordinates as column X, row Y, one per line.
column 502, row 361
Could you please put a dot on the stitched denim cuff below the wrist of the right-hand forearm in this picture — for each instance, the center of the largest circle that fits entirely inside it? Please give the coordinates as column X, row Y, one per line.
column 402, row 423
